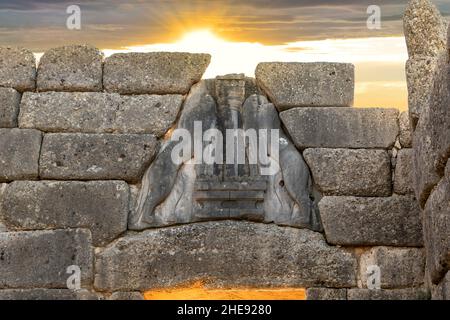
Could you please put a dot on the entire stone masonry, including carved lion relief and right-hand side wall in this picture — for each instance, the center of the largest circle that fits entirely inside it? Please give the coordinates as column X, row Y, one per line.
column 87, row 178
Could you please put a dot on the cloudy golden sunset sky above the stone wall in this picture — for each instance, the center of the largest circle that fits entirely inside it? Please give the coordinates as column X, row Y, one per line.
column 238, row 33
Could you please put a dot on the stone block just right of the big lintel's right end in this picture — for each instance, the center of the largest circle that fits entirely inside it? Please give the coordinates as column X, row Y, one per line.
column 399, row 267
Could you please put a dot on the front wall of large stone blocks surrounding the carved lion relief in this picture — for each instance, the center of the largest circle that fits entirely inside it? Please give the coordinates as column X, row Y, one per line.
column 78, row 133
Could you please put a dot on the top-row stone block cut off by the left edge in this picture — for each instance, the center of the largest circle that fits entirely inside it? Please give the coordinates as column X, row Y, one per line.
column 17, row 69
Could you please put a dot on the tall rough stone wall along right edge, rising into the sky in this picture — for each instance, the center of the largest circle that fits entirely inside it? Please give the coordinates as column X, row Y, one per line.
column 428, row 74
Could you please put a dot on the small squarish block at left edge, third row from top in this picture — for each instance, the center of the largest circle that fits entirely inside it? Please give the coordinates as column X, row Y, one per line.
column 19, row 154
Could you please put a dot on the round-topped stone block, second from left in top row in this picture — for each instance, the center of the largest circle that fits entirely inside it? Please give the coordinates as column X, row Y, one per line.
column 71, row 68
